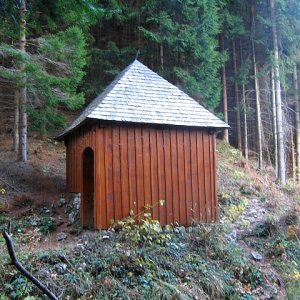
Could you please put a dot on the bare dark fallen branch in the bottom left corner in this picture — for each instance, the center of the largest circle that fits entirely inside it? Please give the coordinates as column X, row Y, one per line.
column 24, row 272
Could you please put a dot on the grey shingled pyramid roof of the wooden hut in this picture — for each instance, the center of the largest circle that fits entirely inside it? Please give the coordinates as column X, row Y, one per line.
column 139, row 95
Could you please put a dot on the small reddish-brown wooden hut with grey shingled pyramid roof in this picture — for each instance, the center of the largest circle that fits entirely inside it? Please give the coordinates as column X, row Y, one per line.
column 140, row 141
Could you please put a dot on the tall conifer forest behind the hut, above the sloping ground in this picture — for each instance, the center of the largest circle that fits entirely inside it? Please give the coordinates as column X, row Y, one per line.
column 237, row 58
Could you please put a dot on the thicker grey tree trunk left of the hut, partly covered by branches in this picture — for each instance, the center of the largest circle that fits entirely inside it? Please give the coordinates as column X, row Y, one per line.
column 23, row 97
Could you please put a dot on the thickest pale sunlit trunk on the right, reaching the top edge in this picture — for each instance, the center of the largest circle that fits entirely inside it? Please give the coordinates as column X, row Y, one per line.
column 279, row 118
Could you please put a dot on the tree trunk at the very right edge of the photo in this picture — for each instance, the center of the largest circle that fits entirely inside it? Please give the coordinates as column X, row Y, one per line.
column 297, row 111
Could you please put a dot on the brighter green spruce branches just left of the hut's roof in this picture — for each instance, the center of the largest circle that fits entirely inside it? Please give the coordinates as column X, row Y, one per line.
column 53, row 75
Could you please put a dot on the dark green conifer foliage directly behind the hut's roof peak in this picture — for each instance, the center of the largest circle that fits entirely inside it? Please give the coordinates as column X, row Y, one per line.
column 185, row 31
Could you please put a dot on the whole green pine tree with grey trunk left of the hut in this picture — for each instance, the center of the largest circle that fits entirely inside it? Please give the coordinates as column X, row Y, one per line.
column 34, row 73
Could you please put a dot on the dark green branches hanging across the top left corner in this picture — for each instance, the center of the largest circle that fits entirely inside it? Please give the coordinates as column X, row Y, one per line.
column 43, row 15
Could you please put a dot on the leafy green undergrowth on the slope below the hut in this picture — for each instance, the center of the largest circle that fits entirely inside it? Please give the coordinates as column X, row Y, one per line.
column 202, row 264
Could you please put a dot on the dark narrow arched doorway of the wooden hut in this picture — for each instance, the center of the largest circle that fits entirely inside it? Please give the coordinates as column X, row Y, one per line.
column 88, row 188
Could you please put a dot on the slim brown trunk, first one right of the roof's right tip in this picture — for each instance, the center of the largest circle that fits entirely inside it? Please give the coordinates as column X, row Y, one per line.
column 236, row 96
